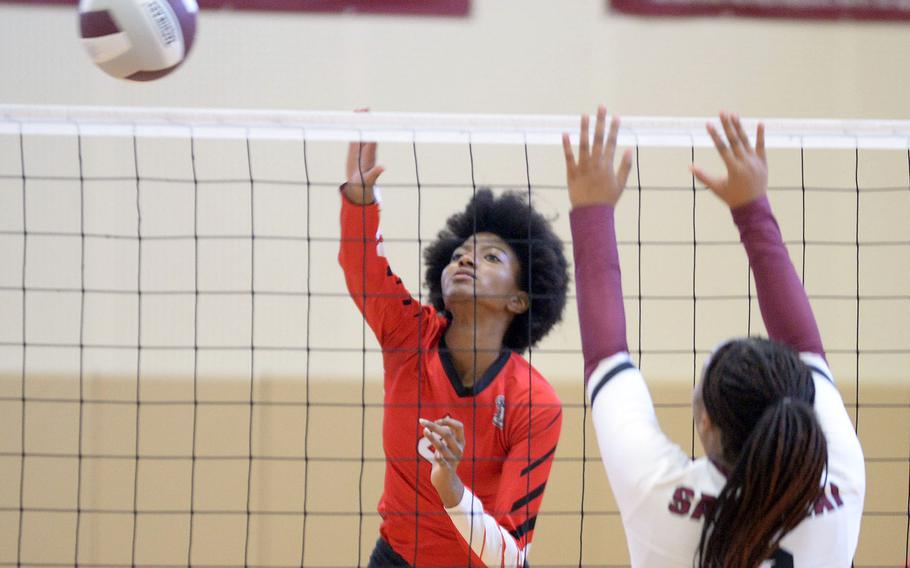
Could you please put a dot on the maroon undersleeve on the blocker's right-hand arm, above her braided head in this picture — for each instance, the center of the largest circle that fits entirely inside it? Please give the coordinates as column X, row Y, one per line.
column 781, row 296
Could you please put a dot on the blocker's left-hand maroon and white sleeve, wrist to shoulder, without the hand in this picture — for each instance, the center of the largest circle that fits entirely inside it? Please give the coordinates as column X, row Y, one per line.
column 635, row 452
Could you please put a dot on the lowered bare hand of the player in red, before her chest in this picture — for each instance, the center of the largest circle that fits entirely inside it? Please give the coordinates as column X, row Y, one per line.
column 447, row 437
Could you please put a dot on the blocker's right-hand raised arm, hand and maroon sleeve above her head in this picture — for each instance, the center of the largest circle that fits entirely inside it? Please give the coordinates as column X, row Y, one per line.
column 781, row 296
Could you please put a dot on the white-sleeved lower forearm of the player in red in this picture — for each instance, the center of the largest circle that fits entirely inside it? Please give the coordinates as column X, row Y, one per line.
column 486, row 537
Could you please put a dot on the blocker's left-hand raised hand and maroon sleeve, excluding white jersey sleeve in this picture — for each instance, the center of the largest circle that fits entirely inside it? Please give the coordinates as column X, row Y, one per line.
column 594, row 189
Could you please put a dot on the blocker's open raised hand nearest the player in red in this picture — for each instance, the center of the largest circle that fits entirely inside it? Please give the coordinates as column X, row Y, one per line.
column 592, row 179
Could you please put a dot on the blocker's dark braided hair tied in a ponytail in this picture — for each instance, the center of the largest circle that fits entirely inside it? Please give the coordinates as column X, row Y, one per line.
column 759, row 394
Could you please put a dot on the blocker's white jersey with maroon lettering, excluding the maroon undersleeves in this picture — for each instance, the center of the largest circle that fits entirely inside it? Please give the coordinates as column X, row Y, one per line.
column 663, row 495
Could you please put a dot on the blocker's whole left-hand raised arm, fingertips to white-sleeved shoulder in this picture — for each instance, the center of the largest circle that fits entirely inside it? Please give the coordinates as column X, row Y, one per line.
column 635, row 452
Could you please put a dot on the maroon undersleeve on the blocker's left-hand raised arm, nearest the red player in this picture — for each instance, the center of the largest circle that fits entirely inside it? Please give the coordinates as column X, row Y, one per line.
column 598, row 285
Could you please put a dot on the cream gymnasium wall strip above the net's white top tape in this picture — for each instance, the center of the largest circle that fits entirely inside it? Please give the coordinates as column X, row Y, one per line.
column 508, row 56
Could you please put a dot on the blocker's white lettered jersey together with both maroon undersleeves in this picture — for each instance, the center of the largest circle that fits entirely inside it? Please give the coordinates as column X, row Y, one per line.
column 663, row 495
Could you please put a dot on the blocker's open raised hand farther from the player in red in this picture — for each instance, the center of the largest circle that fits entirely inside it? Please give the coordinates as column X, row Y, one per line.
column 747, row 167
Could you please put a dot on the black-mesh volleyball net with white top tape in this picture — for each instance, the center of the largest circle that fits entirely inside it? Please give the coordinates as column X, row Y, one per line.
column 185, row 381
